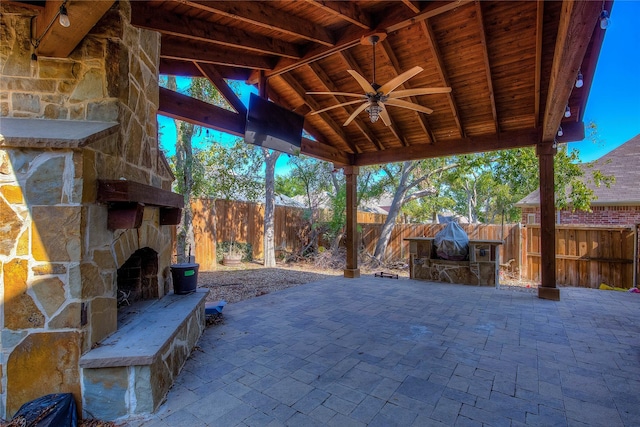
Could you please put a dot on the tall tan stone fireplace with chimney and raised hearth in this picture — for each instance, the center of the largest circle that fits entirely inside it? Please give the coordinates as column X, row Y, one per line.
column 71, row 253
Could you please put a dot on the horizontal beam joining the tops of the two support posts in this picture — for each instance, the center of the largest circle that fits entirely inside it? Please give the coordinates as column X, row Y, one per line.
column 499, row 141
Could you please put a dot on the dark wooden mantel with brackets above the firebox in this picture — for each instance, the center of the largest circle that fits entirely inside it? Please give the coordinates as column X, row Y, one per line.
column 127, row 199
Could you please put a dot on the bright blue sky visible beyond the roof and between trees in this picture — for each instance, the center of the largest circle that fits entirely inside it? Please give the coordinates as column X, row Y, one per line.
column 613, row 104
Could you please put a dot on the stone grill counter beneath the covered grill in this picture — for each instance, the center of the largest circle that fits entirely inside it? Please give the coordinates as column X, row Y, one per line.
column 480, row 269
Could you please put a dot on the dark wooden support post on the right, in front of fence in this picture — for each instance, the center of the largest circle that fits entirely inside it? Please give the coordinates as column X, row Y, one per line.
column 547, row 289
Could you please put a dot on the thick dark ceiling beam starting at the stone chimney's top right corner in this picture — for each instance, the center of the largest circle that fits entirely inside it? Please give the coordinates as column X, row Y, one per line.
column 144, row 16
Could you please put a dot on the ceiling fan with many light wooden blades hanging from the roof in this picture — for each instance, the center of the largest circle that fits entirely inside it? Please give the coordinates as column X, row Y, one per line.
column 376, row 97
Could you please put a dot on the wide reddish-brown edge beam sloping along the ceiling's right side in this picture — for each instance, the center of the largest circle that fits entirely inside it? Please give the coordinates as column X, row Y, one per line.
column 578, row 19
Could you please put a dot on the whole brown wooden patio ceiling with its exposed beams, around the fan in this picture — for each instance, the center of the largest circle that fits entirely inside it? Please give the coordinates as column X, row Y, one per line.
column 511, row 66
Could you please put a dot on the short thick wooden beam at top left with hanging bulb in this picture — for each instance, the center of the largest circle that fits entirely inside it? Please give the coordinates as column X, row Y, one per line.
column 57, row 41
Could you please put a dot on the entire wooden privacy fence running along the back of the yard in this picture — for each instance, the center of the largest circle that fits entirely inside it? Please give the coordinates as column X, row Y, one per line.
column 585, row 256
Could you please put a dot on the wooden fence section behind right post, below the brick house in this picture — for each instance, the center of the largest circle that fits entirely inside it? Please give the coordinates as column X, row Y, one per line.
column 587, row 256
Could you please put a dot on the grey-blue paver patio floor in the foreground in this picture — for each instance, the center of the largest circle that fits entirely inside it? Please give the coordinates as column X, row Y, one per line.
column 381, row 352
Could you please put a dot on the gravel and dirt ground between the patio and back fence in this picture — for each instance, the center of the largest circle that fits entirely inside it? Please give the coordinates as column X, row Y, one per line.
column 249, row 280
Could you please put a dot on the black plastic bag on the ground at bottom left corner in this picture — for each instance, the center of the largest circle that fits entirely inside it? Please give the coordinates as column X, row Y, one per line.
column 52, row 410
